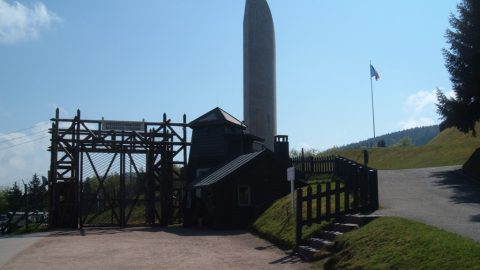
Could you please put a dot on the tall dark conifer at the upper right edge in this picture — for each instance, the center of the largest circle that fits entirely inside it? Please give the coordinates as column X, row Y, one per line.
column 463, row 64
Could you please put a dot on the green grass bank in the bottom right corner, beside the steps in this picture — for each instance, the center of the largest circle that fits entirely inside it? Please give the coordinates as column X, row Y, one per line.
column 403, row 244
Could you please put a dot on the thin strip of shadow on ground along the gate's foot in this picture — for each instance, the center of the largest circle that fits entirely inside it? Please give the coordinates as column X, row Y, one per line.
column 177, row 230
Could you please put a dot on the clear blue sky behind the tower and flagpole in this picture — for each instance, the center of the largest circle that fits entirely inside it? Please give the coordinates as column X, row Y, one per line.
column 136, row 60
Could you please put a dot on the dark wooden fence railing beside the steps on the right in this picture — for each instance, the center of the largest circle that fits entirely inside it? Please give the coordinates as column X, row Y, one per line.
column 354, row 188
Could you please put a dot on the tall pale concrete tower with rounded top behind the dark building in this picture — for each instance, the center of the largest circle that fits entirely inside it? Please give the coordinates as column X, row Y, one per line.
column 259, row 80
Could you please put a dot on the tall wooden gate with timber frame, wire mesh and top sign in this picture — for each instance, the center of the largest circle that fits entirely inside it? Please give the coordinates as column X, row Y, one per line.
column 103, row 173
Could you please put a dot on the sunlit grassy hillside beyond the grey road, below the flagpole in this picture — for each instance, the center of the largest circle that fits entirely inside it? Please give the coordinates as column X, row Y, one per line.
column 450, row 147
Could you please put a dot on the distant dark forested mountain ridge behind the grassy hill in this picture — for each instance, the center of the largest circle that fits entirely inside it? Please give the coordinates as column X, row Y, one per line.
column 419, row 136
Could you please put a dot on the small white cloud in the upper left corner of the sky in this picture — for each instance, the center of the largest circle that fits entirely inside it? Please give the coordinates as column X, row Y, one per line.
column 19, row 22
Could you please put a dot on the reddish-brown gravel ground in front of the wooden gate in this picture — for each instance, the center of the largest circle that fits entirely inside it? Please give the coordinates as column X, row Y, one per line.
column 171, row 248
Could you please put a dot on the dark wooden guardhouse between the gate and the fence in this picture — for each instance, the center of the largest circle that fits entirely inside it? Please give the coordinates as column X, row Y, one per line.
column 230, row 184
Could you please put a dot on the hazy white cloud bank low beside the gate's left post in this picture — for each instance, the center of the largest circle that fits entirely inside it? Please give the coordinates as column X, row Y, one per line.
column 24, row 153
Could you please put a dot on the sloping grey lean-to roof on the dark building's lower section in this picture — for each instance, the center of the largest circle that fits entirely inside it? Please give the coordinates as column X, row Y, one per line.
column 217, row 175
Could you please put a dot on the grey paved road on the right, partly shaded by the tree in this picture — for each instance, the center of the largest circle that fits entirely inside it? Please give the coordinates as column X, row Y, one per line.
column 442, row 197
